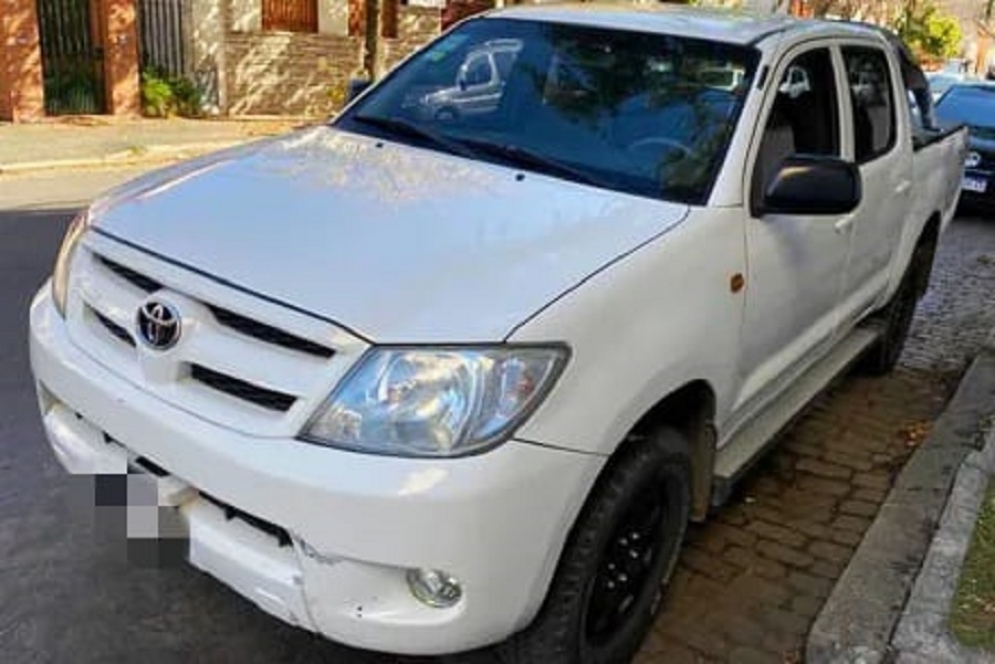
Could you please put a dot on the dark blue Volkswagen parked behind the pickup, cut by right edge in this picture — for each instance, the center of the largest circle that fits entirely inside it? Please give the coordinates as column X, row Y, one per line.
column 974, row 105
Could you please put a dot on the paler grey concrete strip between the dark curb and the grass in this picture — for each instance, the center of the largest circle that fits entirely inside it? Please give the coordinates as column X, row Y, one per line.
column 922, row 636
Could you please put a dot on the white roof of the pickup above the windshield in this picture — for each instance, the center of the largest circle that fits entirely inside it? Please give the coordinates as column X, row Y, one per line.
column 732, row 26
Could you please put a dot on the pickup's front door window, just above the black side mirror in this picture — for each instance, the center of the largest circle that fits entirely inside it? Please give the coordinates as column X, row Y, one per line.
column 804, row 118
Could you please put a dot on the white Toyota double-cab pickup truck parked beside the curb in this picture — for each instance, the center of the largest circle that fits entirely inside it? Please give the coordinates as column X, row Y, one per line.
column 458, row 369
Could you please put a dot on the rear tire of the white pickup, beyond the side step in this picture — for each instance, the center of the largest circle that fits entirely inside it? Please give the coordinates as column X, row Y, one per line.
column 895, row 318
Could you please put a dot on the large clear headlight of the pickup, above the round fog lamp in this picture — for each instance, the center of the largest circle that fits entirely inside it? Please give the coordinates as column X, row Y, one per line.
column 435, row 402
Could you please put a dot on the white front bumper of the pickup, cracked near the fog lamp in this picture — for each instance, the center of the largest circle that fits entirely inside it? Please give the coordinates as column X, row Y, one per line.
column 356, row 522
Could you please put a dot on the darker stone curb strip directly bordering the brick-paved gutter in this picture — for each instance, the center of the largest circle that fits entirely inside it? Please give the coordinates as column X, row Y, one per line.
column 857, row 621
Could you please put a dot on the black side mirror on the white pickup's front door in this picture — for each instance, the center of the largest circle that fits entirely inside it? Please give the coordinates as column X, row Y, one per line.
column 814, row 185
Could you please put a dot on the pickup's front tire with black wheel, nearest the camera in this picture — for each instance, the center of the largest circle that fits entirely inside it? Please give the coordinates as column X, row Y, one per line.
column 645, row 491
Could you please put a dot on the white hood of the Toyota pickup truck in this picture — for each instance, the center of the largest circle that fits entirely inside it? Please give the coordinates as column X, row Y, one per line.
column 397, row 243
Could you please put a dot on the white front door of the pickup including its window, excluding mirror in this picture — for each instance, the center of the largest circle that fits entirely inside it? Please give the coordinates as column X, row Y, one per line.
column 796, row 264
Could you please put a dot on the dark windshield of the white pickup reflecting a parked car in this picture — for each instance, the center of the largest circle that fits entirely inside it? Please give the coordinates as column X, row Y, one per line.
column 647, row 114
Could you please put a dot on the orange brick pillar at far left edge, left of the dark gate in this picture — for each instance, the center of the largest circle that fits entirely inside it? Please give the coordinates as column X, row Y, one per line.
column 22, row 96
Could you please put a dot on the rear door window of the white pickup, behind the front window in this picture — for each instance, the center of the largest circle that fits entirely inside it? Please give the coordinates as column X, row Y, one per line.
column 872, row 102
